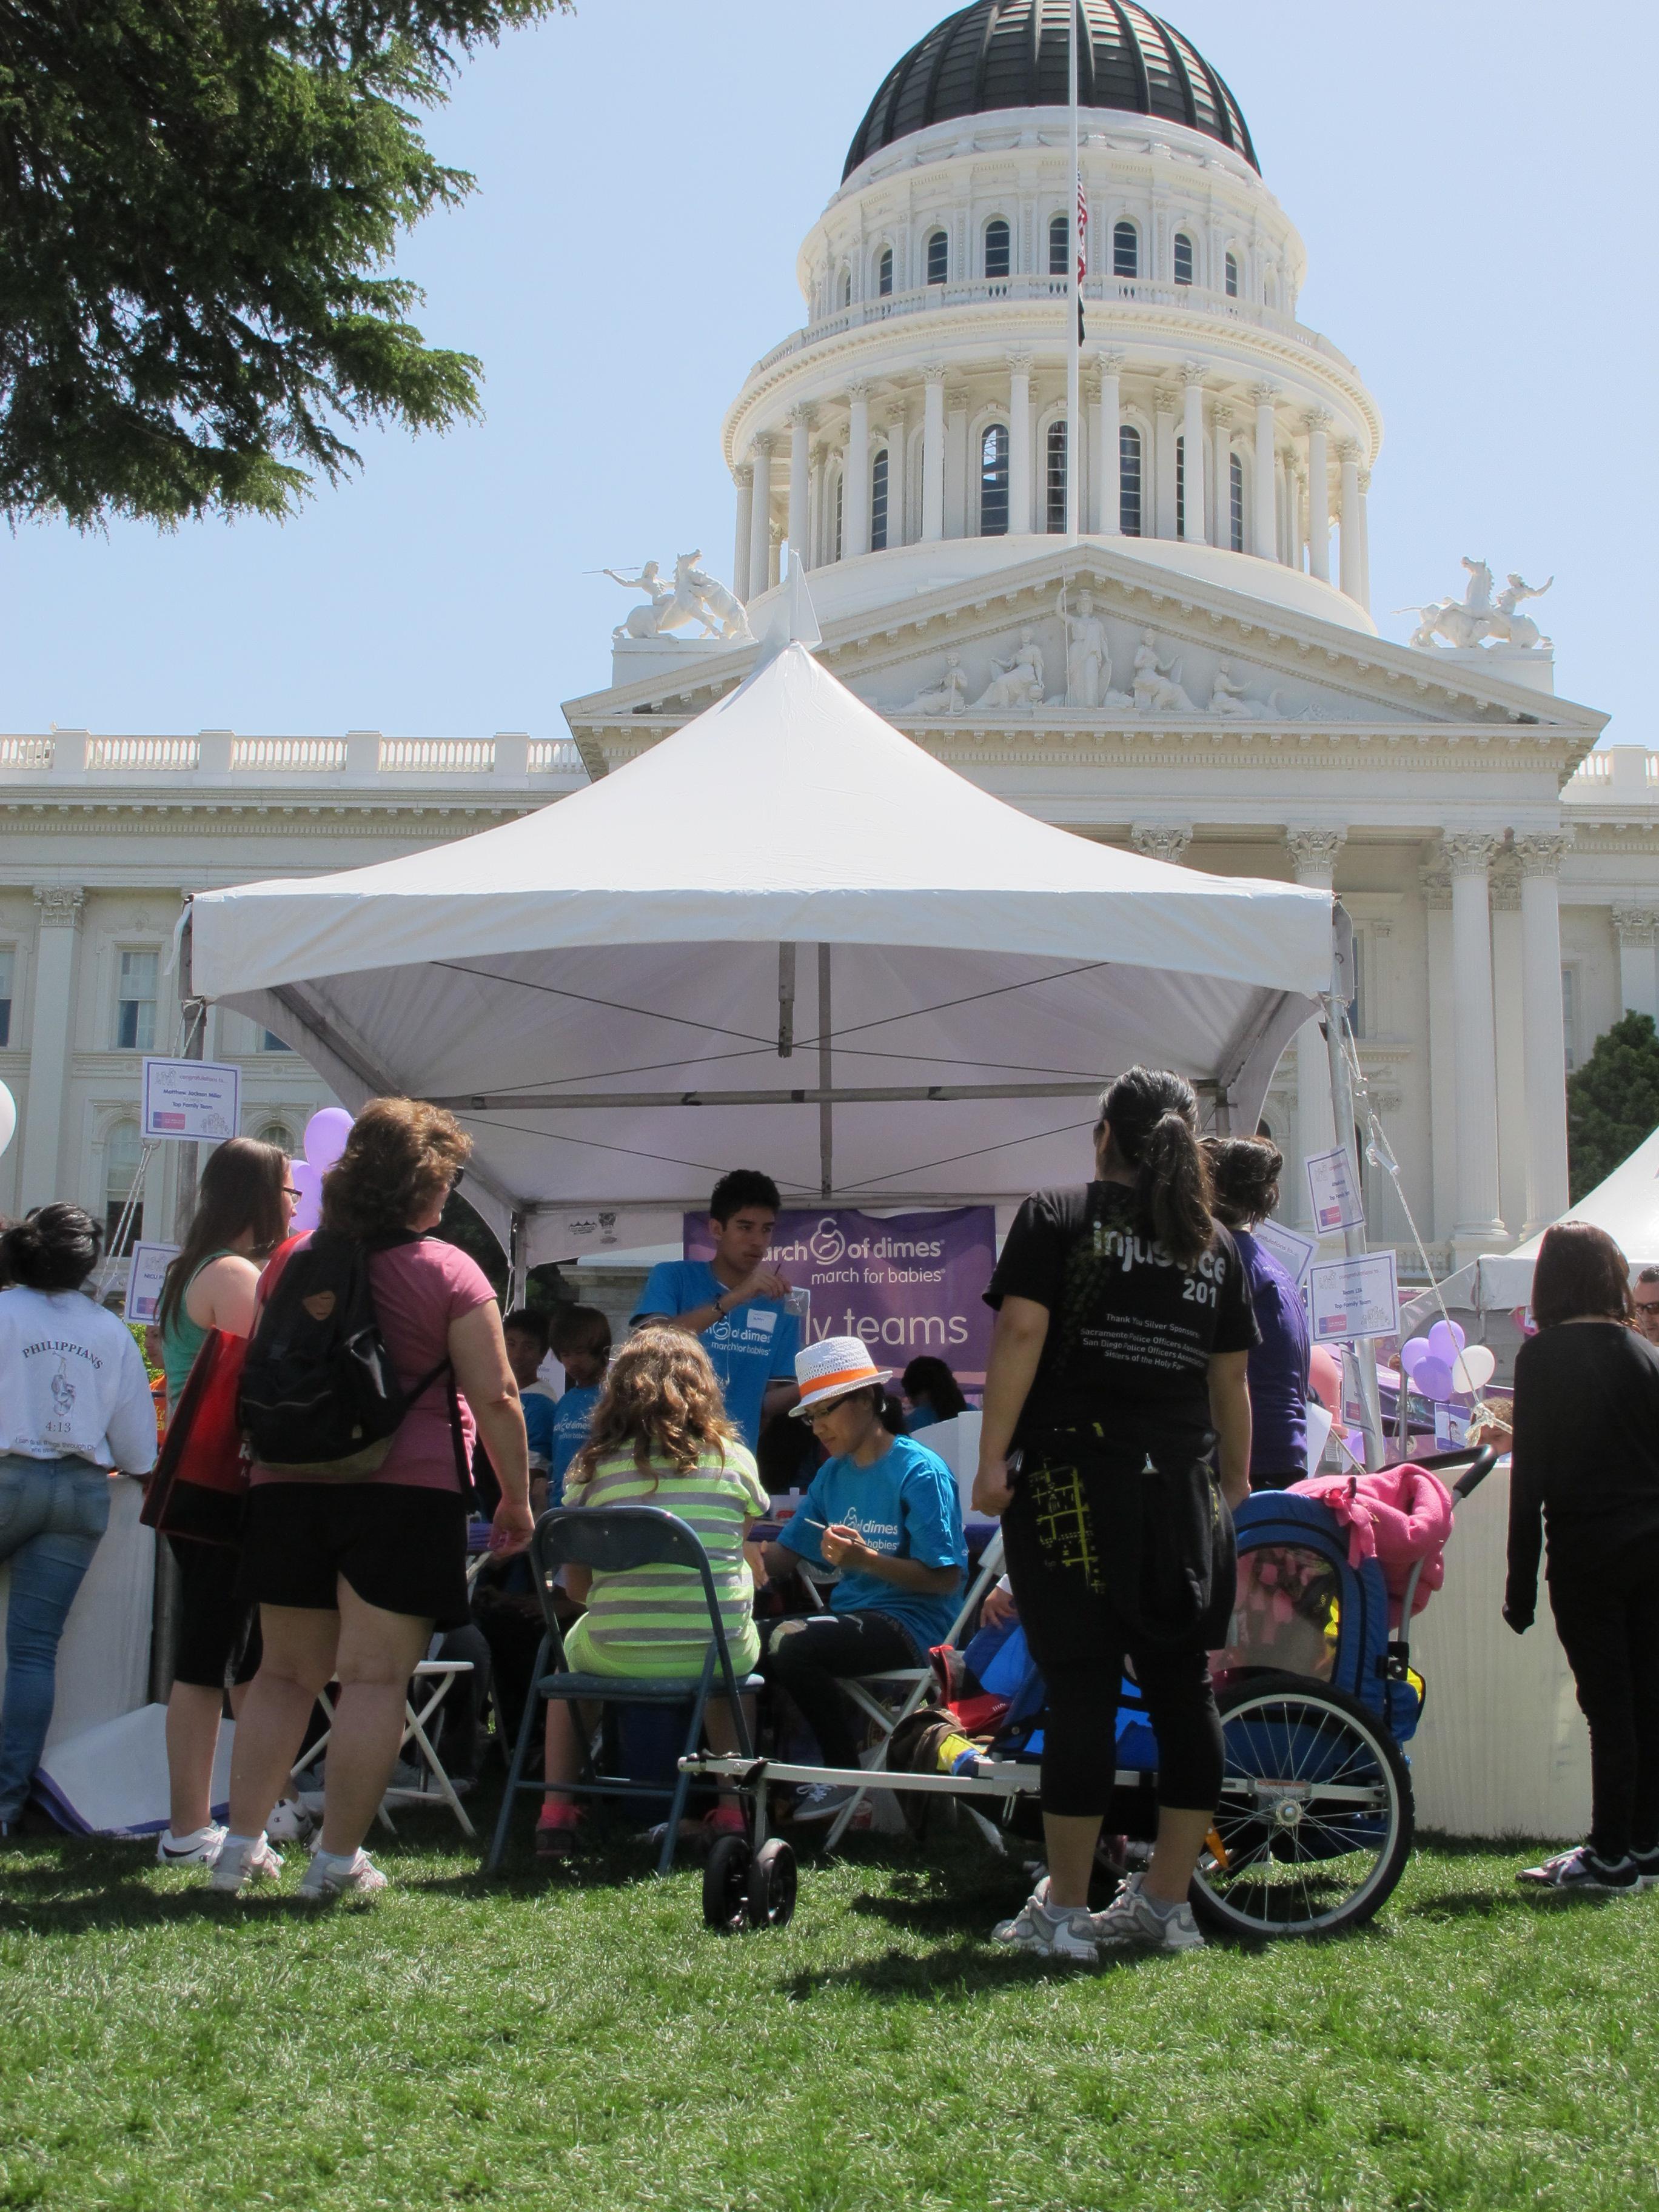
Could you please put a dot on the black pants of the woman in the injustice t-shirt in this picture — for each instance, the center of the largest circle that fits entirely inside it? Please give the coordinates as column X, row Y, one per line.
column 1054, row 1534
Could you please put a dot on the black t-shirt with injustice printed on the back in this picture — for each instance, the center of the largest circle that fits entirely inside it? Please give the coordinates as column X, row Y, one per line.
column 1129, row 1331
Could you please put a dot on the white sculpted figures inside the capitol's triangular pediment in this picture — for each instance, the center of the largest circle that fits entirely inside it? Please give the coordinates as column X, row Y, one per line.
column 1021, row 680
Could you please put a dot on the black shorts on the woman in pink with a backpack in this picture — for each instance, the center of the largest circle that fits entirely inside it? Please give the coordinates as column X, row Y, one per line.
column 399, row 1547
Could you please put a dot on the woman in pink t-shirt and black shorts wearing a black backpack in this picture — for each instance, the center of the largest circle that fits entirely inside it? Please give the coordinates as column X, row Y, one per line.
column 353, row 1576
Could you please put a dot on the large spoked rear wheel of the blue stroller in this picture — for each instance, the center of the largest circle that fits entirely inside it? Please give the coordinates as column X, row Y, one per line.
column 1315, row 1819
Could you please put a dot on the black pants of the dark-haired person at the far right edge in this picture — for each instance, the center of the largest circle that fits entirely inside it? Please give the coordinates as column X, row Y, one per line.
column 1609, row 1627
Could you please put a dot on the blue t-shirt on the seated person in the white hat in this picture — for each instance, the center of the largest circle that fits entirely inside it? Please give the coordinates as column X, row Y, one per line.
column 906, row 1507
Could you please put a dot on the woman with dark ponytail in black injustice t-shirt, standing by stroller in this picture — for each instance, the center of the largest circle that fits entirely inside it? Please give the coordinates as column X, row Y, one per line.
column 1116, row 1439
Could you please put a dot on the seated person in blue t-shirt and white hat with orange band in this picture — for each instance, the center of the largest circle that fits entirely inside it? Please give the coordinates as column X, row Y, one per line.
column 886, row 1512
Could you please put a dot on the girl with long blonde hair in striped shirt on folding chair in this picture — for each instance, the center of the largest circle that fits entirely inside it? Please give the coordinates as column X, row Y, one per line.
column 658, row 1439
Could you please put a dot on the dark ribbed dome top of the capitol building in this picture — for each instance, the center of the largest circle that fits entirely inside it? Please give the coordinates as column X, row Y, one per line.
column 1014, row 54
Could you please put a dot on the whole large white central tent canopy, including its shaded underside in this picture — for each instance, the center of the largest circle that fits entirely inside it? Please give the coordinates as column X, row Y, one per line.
column 784, row 937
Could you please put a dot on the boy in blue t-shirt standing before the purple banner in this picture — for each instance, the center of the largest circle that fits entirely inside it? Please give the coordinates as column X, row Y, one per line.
column 735, row 1304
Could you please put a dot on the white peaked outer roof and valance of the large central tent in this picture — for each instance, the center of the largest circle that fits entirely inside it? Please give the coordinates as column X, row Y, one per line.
column 789, row 811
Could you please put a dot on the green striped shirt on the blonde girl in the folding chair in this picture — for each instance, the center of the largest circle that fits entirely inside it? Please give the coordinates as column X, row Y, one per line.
column 651, row 1620
